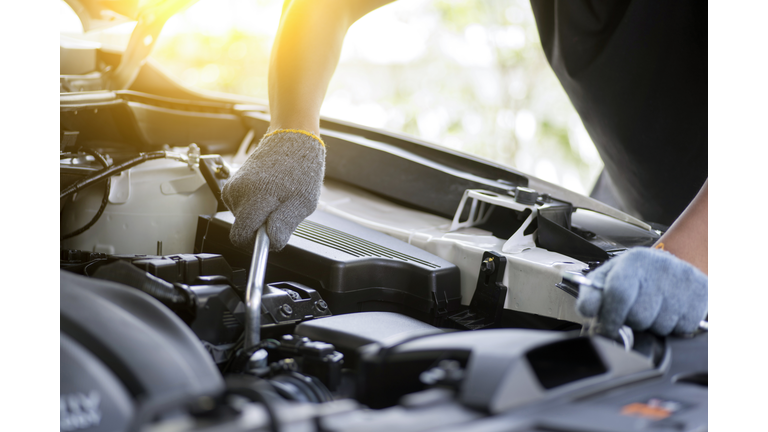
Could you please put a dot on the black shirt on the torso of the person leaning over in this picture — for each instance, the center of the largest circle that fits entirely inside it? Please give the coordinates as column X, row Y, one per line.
column 636, row 72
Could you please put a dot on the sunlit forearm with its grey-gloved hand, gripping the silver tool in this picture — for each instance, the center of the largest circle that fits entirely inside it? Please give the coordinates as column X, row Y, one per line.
column 279, row 184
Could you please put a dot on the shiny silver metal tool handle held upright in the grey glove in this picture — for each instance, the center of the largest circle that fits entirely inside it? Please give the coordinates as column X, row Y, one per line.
column 255, row 288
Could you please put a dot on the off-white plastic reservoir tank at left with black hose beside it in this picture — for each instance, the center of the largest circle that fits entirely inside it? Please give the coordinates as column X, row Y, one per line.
column 152, row 206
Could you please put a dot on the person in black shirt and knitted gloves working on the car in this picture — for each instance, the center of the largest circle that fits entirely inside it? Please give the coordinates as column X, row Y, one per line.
column 636, row 72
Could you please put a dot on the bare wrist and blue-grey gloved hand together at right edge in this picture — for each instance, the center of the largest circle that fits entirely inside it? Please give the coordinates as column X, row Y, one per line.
column 663, row 291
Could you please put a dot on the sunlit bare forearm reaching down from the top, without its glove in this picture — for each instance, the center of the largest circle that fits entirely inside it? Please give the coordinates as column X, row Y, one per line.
column 305, row 55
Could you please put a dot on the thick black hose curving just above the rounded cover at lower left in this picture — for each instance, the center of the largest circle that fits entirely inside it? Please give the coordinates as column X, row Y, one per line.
column 180, row 300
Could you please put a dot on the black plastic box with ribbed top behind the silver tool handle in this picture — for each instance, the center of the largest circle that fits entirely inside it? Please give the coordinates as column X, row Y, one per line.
column 354, row 268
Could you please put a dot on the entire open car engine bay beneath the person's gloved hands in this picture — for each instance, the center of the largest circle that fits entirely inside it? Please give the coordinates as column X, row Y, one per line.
column 420, row 295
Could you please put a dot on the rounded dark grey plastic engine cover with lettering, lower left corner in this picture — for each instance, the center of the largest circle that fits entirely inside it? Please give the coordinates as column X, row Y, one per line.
column 120, row 345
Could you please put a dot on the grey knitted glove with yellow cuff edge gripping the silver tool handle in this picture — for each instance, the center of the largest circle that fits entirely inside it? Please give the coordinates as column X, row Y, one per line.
column 278, row 185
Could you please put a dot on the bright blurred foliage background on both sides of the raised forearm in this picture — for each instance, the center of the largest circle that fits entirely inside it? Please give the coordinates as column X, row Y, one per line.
column 466, row 74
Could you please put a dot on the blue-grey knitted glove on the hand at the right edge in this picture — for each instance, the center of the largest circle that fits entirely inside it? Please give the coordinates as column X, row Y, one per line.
column 646, row 289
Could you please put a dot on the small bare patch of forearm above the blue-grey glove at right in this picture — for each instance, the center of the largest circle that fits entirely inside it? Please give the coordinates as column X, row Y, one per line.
column 687, row 238
